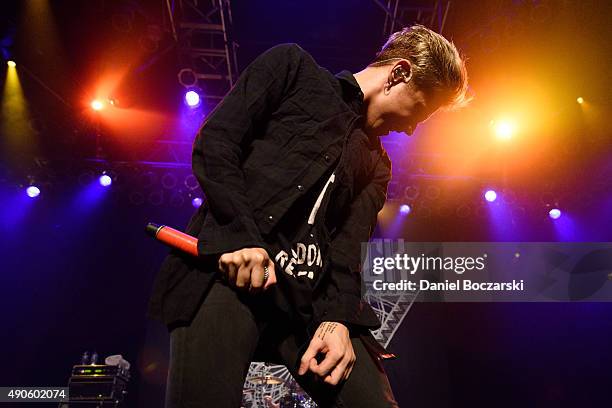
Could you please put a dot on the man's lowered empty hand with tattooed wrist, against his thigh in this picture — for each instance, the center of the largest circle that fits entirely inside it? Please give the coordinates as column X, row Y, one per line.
column 333, row 340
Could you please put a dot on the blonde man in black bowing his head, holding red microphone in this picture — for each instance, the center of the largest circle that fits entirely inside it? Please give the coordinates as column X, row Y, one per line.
column 294, row 175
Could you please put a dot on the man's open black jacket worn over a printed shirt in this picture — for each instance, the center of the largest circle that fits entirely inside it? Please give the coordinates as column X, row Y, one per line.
column 279, row 129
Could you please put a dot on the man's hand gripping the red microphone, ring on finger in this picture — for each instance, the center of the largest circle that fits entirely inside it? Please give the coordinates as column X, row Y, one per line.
column 244, row 269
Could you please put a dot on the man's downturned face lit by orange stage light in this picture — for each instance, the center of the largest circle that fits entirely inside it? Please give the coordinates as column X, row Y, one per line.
column 401, row 108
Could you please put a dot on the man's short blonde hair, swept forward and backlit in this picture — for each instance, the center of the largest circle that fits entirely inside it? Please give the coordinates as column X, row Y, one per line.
column 436, row 64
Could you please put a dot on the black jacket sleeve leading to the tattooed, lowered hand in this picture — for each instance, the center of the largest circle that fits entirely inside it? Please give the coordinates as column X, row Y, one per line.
column 347, row 306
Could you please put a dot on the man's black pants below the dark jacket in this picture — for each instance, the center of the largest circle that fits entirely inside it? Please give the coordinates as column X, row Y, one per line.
column 210, row 358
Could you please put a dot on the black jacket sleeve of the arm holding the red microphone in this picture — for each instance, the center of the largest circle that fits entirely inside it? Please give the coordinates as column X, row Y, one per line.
column 222, row 141
